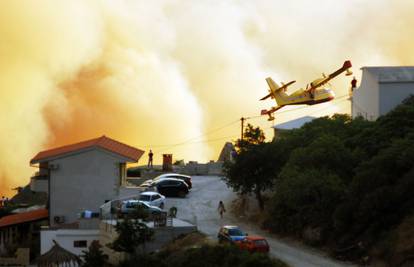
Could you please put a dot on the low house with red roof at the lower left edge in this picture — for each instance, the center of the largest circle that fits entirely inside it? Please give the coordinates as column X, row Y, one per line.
column 22, row 230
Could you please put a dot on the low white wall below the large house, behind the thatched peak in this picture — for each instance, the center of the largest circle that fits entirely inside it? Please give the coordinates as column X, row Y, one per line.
column 65, row 238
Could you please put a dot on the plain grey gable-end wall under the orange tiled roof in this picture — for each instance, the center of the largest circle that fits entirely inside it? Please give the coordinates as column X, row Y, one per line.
column 83, row 181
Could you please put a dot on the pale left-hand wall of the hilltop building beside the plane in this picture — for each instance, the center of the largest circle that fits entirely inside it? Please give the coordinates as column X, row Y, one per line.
column 365, row 99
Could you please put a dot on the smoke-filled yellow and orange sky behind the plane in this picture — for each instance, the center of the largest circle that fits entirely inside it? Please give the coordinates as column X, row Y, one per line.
column 175, row 75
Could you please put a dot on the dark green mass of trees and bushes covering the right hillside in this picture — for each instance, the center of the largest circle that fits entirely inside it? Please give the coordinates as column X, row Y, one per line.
column 349, row 182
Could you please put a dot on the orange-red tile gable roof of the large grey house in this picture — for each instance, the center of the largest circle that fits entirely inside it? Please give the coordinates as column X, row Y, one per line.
column 104, row 142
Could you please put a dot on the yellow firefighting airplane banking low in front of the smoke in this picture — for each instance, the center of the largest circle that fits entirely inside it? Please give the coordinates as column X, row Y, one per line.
column 310, row 96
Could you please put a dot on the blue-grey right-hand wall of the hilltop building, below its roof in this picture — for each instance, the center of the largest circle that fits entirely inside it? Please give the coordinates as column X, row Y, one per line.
column 392, row 94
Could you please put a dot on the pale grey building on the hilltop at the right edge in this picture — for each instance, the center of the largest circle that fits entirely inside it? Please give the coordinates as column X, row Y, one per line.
column 381, row 89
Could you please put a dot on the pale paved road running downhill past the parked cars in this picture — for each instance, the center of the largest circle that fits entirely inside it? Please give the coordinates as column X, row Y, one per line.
column 200, row 207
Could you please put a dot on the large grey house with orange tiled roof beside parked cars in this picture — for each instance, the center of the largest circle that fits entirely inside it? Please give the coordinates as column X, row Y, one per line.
column 83, row 176
